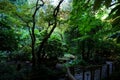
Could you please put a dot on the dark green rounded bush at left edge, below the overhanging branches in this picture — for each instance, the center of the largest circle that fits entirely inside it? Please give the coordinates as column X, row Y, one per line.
column 8, row 37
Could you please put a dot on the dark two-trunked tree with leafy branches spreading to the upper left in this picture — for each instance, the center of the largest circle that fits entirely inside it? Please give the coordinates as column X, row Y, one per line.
column 22, row 14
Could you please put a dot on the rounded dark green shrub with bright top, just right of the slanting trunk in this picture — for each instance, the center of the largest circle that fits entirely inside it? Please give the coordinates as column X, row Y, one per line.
column 55, row 47
